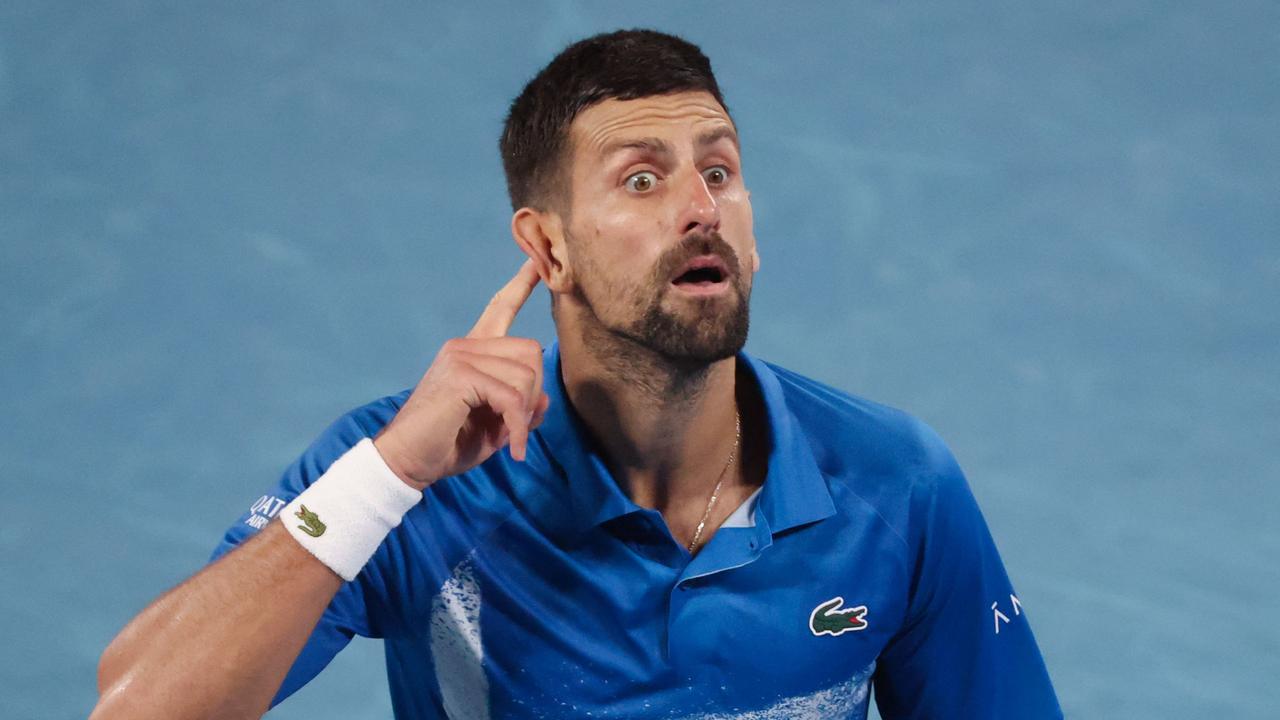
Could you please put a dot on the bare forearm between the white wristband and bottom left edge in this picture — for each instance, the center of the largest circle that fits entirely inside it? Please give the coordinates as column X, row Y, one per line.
column 221, row 644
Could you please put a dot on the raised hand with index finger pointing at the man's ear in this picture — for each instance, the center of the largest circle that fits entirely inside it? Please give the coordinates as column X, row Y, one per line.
column 481, row 391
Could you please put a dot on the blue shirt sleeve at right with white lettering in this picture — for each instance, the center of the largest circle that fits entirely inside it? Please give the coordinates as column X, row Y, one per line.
column 966, row 649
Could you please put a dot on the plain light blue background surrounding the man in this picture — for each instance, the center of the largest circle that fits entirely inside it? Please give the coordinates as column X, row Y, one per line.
column 1052, row 234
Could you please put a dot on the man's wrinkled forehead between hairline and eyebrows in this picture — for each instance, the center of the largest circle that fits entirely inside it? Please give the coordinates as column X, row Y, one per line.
column 610, row 122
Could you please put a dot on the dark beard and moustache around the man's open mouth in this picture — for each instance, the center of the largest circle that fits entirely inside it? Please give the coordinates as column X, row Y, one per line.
column 687, row 345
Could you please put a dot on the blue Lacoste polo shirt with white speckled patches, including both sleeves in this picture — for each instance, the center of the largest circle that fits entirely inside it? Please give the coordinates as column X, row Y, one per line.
column 540, row 590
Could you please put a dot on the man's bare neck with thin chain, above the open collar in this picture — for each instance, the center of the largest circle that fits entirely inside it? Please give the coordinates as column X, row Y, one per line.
column 666, row 429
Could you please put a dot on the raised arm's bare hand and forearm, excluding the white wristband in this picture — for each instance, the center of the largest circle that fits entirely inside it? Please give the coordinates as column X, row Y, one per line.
column 221, row 644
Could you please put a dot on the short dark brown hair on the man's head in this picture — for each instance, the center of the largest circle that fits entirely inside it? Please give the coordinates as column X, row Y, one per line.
column 624, row 65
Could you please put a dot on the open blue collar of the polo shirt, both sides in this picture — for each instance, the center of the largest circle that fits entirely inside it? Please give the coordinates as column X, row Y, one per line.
column 794, row 493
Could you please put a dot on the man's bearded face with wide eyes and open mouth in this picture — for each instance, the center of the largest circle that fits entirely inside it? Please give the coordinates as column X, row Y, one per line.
column 660, row 233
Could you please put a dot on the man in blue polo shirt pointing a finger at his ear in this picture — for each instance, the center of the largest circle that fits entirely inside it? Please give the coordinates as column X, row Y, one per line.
column 639, row 521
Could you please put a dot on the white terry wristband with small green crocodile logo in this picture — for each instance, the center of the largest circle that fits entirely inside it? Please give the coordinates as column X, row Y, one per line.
column 348, row 513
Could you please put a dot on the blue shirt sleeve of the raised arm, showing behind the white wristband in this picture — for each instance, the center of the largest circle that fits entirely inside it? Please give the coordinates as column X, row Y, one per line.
column 356, row 609
